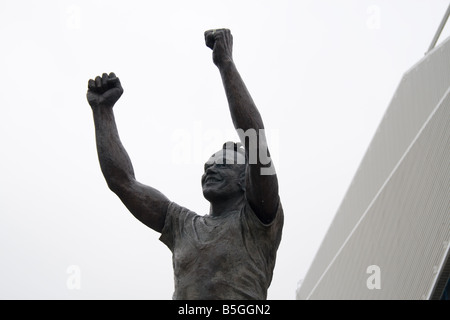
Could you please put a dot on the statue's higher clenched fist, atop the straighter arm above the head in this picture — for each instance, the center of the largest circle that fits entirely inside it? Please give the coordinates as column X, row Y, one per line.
column 221, row 43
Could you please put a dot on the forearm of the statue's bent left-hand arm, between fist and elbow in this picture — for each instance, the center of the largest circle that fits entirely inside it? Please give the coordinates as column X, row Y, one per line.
column 114, row 160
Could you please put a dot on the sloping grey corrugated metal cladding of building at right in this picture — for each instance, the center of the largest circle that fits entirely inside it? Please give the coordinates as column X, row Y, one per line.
column 395, row 216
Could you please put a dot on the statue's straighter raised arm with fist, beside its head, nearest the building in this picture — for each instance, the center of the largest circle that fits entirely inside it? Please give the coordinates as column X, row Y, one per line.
column 261, row 180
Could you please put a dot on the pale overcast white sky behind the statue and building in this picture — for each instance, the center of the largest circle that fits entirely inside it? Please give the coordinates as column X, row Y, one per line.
column 322, row 74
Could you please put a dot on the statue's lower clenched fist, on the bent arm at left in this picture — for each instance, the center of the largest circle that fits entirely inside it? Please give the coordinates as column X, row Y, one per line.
column 104, row 91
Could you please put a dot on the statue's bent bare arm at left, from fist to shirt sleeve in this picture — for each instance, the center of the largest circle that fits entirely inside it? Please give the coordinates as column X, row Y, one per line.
column 147, row 204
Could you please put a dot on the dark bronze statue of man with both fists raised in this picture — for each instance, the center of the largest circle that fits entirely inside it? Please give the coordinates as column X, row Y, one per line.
column 229, row 253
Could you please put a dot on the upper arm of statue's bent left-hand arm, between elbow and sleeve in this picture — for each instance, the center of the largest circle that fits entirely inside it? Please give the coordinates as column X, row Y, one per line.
column 147, row 204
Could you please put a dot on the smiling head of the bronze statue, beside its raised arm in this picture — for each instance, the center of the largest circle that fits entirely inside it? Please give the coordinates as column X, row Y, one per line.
column 224, row 175
